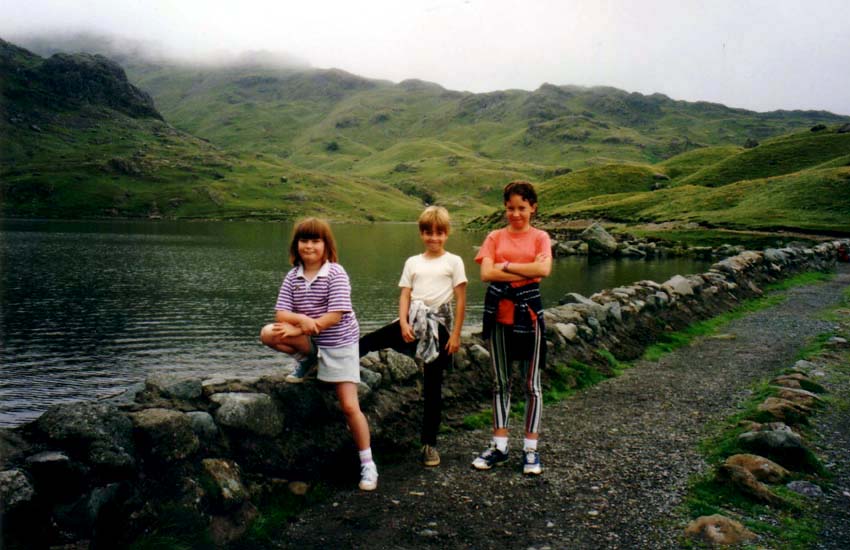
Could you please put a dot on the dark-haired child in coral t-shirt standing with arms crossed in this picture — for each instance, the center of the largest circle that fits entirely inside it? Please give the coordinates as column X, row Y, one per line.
column 514, row 260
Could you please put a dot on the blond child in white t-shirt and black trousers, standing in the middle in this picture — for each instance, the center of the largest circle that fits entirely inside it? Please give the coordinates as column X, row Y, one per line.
column 425, row 328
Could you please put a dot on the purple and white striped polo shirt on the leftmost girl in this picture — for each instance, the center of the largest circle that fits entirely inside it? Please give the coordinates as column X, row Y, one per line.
column 330, row 290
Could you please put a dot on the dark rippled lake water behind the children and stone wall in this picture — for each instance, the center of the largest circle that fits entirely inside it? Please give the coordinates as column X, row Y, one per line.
column 89, row 308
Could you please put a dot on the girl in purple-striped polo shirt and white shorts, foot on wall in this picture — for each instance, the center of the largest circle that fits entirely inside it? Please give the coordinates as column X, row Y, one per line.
column 315, row 323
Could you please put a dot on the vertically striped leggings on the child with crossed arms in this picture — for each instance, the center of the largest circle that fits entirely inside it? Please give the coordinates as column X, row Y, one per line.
column 530, row 351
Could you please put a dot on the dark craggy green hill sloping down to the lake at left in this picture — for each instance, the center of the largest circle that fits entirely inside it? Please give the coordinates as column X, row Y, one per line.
column 79, row 141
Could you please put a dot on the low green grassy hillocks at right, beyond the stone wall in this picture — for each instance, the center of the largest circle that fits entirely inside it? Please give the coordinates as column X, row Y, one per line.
column 814, row 198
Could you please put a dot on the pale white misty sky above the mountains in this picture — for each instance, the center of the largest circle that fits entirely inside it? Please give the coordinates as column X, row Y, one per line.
column 756, row 54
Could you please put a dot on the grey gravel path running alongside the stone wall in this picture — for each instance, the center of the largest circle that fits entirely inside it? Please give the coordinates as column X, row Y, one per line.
column 617, row 456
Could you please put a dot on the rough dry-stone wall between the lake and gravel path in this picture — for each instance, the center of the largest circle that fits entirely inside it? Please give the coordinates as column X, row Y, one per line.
column 206, row 450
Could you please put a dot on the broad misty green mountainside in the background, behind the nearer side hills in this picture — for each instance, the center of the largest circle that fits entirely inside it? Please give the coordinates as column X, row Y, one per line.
column 456, row 148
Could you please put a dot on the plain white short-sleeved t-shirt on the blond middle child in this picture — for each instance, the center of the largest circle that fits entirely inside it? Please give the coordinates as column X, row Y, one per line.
column 433, row 280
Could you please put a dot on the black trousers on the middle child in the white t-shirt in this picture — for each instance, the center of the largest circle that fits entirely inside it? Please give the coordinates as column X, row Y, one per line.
column 390, row 337
